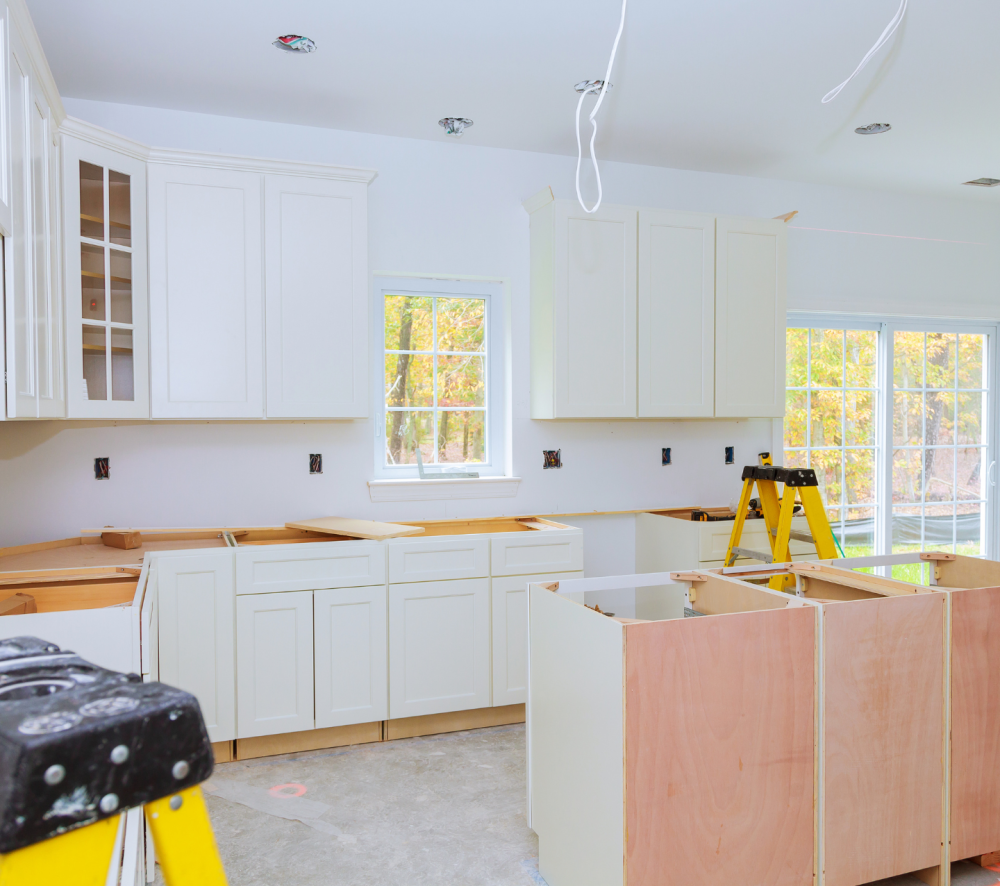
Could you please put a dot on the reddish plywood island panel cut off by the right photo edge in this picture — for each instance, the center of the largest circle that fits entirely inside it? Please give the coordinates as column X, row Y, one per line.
column 975, row 722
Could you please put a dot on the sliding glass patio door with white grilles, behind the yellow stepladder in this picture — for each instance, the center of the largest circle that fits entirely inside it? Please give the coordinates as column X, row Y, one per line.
column 896, row 419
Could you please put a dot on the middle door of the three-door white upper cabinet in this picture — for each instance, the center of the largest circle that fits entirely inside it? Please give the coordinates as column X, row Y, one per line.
column 676, row 310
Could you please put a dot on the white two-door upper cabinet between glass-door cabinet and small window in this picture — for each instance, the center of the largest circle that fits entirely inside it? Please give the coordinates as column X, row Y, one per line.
column 215, row 224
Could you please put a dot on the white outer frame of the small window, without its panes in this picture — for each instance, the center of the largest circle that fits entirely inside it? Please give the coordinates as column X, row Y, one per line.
column 497, row 408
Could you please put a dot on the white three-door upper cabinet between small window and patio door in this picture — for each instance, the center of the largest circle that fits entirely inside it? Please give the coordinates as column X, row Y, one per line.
column 640, row 313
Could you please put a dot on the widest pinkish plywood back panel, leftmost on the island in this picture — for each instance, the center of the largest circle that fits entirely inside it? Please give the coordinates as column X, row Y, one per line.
column 719, row 750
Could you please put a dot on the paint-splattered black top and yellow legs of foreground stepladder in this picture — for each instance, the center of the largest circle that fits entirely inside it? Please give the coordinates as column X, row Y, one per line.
column 80, row 744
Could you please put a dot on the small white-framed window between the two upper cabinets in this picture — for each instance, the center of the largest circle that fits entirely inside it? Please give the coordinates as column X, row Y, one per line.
column 438, row 389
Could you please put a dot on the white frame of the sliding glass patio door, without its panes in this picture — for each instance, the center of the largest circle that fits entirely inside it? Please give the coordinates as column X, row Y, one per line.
column 887, row 327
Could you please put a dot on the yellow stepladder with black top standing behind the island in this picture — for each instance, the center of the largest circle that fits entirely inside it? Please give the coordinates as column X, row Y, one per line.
column 777, row 514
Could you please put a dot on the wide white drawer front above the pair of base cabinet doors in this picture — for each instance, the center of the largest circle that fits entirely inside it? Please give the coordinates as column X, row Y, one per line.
column 307, row 566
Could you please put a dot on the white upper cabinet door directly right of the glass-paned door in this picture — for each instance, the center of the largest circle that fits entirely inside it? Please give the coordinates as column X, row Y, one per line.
column 205, row 291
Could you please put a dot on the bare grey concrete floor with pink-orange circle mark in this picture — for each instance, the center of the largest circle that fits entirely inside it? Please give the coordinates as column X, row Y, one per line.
column 443, row 809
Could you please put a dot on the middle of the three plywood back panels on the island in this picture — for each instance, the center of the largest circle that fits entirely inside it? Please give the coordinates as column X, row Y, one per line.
column 883, row 682
